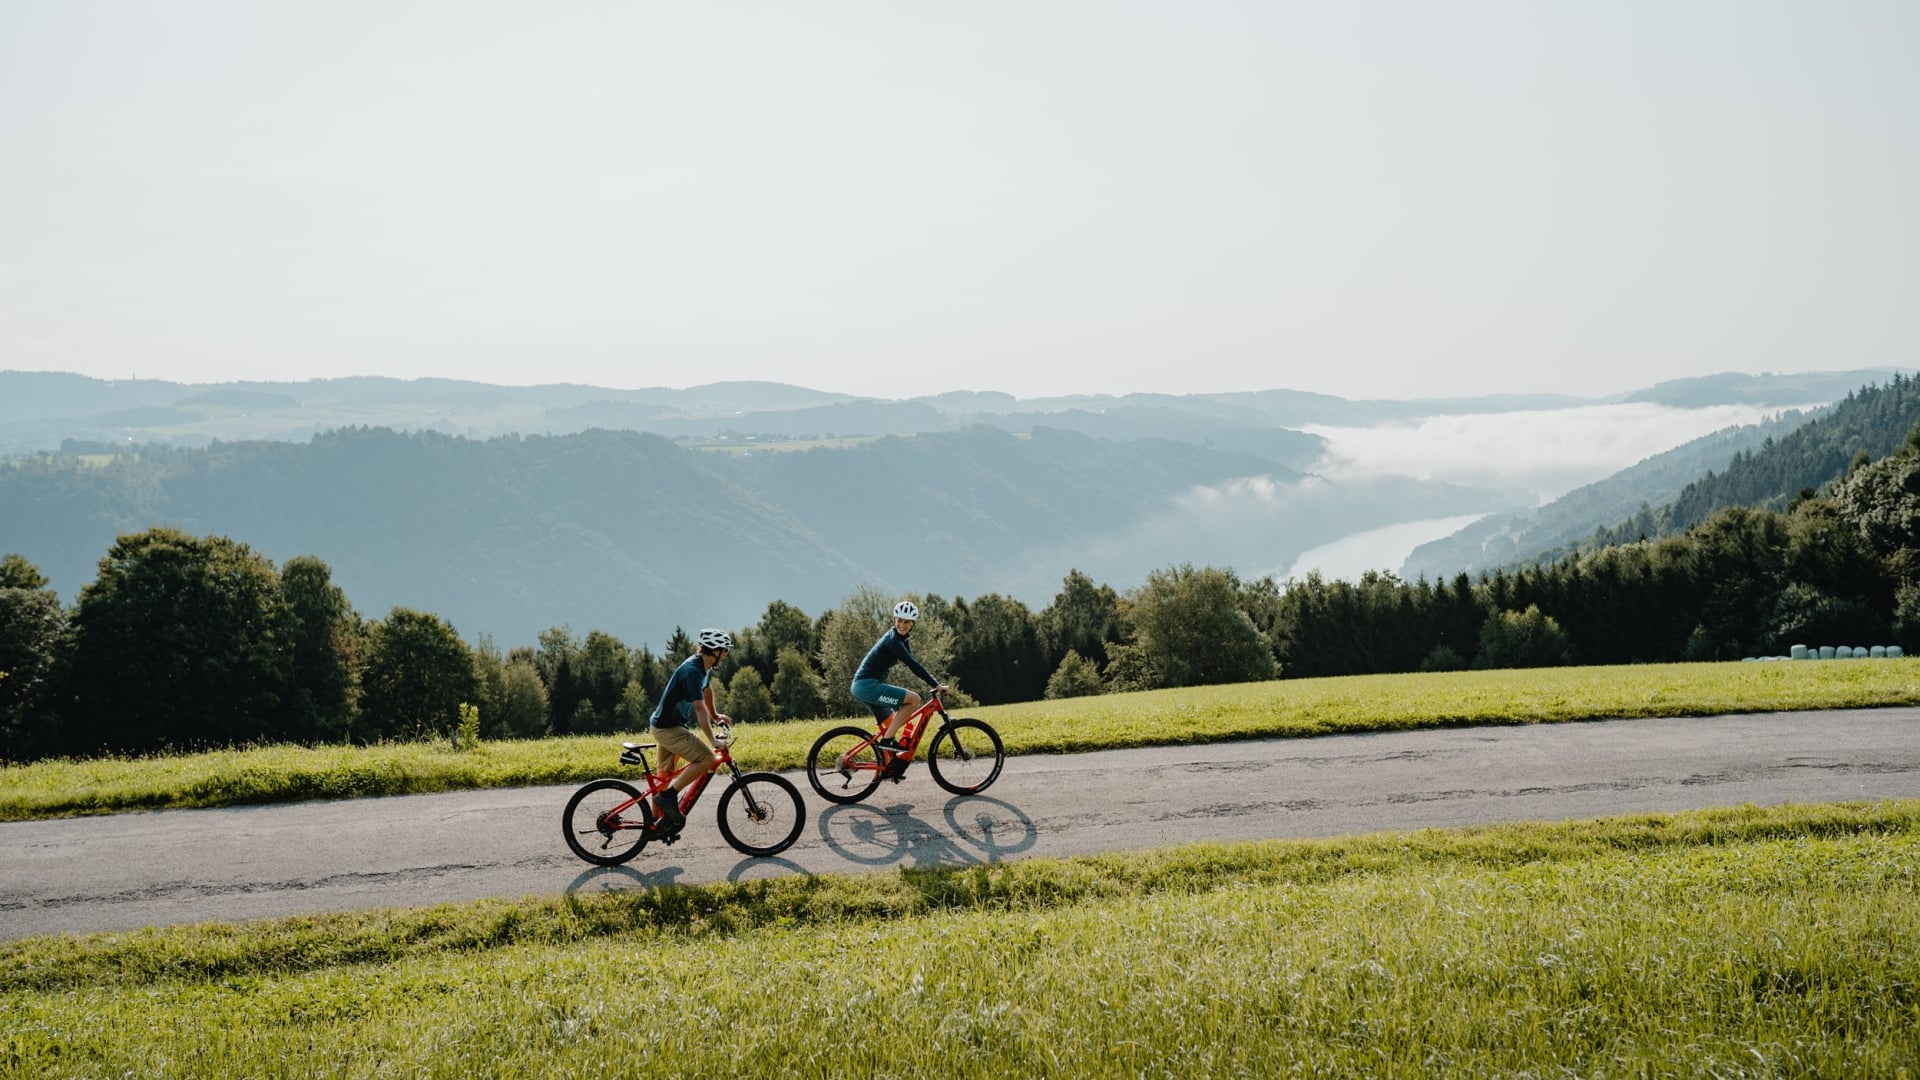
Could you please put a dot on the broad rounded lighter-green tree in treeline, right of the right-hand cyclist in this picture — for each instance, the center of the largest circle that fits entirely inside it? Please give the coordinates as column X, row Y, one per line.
column 1195, row 631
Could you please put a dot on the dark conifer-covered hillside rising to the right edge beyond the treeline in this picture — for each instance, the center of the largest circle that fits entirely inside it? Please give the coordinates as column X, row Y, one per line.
column 1871, row 422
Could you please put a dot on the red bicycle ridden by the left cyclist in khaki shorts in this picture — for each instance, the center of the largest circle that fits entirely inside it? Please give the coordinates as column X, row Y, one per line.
column 610, row 822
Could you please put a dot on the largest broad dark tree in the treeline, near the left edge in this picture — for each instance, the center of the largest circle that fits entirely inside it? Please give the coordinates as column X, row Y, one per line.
column 176, row 645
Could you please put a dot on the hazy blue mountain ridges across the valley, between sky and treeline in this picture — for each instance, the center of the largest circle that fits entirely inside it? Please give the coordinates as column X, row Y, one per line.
column 673, row 506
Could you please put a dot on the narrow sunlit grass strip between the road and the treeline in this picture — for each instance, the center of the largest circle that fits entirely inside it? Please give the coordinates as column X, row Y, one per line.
column 1161, row 718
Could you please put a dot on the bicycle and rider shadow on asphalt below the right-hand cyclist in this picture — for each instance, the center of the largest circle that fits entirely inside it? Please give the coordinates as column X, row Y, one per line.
column 978, row 831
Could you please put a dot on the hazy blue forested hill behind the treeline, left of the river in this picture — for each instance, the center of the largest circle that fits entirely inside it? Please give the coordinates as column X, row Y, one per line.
column 635, row 535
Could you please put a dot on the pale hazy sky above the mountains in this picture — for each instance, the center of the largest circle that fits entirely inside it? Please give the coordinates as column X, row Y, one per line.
column 900, row 199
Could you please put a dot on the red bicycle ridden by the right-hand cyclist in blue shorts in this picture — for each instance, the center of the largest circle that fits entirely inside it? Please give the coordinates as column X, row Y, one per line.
column 848, row 764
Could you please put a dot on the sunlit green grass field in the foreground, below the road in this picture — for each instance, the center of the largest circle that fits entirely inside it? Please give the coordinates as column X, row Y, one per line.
column 1744, row 943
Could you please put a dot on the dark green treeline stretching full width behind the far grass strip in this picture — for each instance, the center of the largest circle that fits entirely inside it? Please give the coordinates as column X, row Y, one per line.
column 197, row 641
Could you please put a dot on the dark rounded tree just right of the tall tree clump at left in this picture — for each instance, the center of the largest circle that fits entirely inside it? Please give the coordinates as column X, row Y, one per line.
column 418, row 675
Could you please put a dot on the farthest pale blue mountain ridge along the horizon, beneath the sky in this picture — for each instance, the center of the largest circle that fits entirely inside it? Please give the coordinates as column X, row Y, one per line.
column 39, row 412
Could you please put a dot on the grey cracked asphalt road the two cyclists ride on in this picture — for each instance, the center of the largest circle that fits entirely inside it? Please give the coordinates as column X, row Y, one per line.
column 155, row 870
